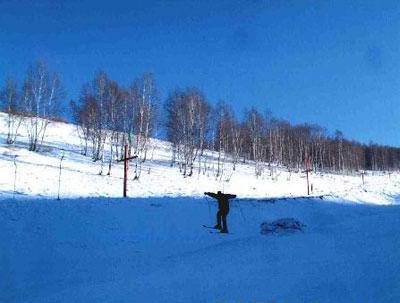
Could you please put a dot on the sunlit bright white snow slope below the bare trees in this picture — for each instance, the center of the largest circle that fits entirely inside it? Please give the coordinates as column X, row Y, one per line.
column 37, row 175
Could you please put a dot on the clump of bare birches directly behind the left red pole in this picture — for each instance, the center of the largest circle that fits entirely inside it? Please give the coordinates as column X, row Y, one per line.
column 108, row 112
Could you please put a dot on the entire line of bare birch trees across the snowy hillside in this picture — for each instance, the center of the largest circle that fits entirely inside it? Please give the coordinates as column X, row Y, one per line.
column 110, row 115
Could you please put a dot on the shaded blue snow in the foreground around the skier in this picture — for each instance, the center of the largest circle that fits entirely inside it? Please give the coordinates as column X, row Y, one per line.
column 156, row 250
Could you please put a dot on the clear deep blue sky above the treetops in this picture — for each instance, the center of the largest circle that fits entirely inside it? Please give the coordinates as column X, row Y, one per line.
column 331, row 62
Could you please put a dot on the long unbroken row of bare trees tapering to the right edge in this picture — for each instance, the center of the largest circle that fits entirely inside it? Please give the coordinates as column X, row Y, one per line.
column 193, row 125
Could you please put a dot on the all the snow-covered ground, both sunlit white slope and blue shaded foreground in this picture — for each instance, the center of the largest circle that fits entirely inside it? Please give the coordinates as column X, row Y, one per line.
column 92, row 246
